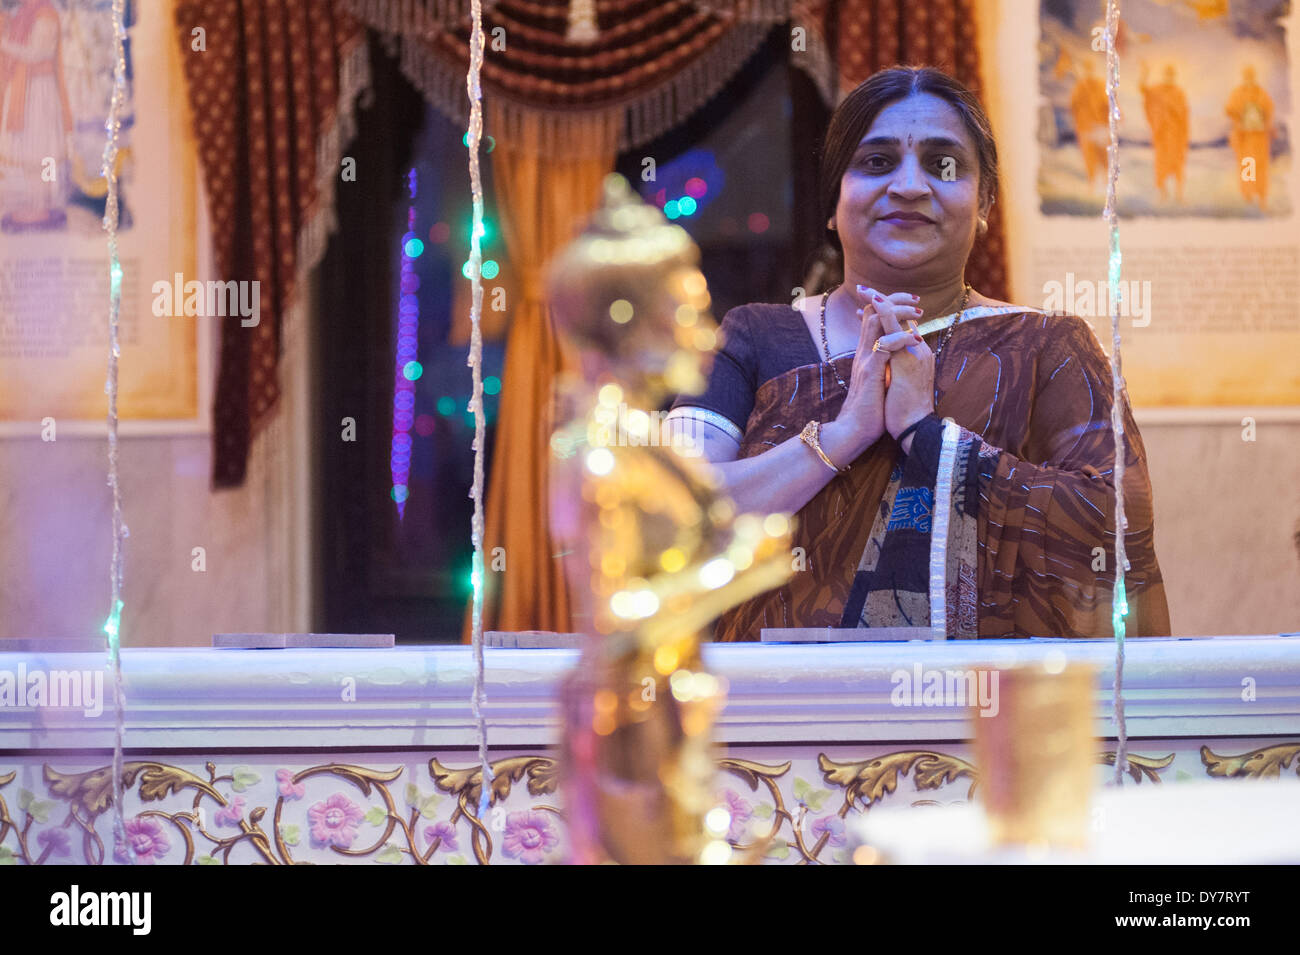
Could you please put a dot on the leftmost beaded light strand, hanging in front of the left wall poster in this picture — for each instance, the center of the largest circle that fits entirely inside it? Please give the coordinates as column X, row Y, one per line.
column 114, row 626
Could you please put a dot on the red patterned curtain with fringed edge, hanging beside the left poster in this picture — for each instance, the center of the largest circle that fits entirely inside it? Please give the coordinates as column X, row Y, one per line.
column 270, row 84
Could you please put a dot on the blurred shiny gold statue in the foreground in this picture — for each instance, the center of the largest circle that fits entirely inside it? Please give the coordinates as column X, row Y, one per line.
column 653, row 552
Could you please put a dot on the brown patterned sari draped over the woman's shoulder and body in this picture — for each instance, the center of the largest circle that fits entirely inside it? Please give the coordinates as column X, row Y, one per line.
column 1030, row 497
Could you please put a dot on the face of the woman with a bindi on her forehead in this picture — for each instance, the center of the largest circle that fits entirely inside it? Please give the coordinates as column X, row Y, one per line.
column 909, row 201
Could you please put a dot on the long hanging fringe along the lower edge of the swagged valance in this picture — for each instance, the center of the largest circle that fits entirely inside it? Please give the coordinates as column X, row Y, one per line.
column 562, row 131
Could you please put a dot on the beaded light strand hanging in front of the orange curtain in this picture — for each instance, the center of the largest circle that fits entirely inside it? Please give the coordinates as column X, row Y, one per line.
column 476, row 401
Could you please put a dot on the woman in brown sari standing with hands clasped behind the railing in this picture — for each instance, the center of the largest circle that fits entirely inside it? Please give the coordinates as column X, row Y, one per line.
column 834, row 410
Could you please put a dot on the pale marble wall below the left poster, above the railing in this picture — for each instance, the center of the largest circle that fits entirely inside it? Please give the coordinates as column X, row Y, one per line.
column 57, row 542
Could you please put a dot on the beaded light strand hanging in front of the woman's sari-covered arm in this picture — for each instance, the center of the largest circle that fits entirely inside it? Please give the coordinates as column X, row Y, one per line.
column 1120, row 602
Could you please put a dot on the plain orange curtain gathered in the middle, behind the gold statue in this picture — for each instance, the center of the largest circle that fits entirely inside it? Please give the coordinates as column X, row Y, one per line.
column 543, row 201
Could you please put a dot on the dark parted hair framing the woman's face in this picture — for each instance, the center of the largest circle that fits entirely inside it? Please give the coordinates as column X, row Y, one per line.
column 853, row 118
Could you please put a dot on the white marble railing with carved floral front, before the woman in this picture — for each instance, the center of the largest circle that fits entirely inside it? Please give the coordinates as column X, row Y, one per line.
column 367, row 756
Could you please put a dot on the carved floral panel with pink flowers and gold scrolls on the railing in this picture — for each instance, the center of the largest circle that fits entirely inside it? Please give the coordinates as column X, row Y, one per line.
column 410, row 810
